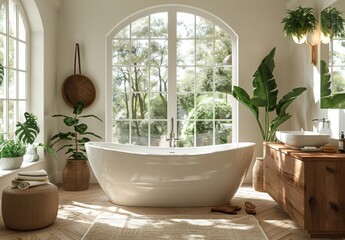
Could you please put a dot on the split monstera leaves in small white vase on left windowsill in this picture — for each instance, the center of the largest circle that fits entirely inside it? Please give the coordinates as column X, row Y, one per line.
column 27, row 131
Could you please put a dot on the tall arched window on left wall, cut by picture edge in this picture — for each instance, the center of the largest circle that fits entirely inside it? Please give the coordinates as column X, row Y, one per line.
column 13, row 56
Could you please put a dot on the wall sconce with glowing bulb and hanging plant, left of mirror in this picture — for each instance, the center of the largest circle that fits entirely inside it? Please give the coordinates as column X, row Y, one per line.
column 297, row 24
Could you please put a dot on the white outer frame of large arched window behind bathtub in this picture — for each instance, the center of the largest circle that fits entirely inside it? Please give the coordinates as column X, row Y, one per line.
column 172, row 75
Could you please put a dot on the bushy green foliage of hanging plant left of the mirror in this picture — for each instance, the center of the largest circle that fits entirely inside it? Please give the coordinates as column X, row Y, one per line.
column 299, row 22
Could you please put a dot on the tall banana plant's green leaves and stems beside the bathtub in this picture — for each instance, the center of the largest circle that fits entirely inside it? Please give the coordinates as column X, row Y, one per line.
column 265, row 96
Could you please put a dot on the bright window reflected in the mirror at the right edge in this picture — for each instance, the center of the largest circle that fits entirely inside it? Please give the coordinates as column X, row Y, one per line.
column 337, row 64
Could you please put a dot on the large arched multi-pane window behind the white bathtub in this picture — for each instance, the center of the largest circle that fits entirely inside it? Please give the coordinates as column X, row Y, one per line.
column 171, row 73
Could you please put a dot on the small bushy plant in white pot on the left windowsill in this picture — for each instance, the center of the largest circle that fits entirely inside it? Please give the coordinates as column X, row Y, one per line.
column 11, row 154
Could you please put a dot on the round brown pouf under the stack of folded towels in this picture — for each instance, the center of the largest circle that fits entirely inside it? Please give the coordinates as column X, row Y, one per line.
column 30, row 209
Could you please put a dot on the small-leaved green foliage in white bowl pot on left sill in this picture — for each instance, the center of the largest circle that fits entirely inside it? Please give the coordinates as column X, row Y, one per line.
column 11, row 148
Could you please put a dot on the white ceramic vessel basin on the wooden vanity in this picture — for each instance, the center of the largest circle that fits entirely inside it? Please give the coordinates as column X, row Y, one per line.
column 299, row 139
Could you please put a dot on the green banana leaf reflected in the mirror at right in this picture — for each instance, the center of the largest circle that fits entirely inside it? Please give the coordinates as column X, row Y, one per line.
column 329, row 100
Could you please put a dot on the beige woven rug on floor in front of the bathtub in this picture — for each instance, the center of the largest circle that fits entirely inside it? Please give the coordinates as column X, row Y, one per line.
column 116, row 226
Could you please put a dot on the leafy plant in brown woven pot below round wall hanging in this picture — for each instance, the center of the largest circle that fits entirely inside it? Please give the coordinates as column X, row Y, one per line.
column 76, row 173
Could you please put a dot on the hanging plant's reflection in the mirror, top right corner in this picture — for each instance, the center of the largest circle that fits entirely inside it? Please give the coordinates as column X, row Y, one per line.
column 332, row 22
